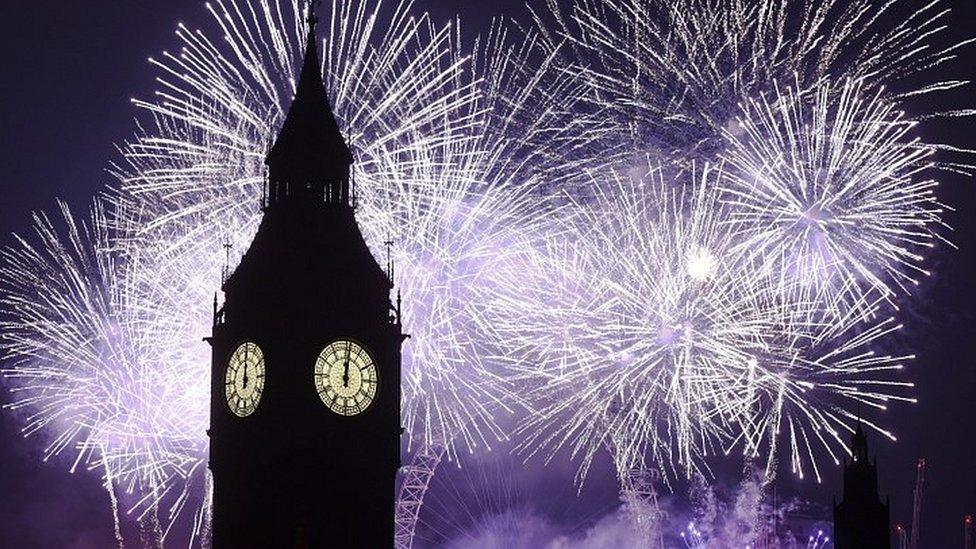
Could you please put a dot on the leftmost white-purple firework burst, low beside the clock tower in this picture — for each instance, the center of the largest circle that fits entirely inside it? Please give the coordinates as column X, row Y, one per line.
column 77, row 364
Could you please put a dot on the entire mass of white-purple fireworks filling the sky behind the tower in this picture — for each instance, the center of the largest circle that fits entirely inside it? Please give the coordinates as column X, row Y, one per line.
column 671, row 232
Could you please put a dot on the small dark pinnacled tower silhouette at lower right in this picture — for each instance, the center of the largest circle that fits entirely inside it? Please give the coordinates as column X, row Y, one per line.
column 861, row 519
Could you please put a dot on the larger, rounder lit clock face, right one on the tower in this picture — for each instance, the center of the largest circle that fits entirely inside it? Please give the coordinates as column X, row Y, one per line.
column 346, row 378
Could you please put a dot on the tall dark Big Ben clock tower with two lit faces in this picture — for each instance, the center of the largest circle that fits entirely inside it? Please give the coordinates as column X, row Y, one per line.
column 305, row 382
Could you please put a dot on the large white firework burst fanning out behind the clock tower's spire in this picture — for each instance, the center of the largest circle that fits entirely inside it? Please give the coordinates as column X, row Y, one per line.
column 398, row 87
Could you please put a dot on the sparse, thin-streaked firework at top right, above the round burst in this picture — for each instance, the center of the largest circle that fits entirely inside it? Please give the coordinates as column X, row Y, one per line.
column 669, row 76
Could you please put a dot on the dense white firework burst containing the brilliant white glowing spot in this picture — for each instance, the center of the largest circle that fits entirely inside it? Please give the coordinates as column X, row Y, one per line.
column 639, row 312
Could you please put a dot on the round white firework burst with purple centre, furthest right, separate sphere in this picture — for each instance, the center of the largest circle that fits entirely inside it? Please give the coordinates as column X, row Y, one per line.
column 834, row 194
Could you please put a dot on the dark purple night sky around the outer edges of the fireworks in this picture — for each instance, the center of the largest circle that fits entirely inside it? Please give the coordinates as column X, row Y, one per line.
column 67, row 72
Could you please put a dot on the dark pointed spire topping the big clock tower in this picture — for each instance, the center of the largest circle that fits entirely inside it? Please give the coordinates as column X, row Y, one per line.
column 310, row 159
